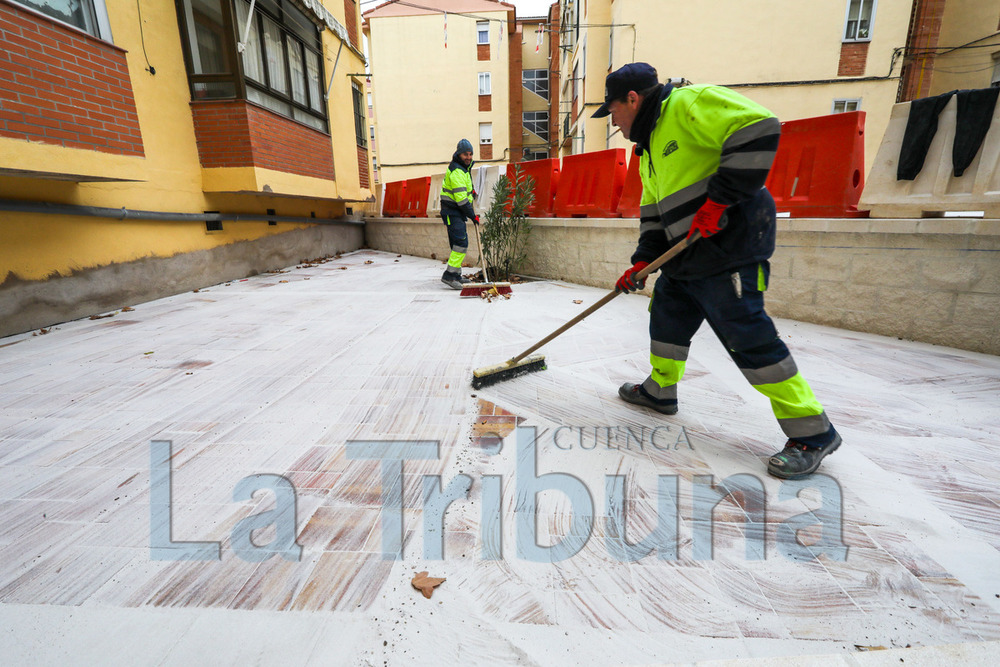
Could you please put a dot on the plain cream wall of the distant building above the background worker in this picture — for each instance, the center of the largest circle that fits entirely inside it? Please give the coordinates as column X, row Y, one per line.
column 426, row 96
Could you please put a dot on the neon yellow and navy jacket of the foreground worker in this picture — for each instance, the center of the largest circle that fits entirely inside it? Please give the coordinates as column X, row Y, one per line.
column 708, row 141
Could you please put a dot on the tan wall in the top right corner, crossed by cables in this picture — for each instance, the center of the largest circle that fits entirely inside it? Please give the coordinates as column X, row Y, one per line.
column 970, row 24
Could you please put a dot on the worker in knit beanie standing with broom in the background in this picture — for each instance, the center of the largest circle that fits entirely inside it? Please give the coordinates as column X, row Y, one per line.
column 456, row 207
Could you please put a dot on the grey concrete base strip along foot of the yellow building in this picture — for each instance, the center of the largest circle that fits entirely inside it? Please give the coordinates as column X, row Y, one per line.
column 27, row 305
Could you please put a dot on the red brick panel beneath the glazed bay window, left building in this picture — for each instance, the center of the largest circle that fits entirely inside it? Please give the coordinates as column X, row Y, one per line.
column 234, row 133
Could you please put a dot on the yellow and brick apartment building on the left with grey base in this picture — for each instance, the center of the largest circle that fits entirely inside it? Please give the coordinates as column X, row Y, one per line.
column 153, row 147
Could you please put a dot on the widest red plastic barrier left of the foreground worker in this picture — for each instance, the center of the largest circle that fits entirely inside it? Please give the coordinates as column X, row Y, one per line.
column 591, row 184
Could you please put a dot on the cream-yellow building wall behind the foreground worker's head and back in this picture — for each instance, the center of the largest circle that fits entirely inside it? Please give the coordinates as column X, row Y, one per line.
column 724, row 42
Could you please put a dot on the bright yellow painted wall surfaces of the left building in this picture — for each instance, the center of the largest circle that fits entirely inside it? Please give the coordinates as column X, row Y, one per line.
column 36, row 247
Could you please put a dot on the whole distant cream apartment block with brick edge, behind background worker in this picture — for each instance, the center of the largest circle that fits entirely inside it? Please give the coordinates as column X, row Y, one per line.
column 443, row 70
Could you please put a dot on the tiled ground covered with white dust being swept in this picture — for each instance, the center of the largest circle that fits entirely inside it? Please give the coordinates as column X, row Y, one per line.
column 275, row 375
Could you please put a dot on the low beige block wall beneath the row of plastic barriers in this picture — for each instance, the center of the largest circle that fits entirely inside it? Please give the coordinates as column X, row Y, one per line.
column 930, row 280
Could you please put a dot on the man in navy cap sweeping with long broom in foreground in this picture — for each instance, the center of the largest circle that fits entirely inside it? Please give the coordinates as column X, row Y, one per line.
column 705, row 152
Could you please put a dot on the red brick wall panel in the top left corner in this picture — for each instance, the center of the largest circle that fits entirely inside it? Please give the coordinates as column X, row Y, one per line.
column 61, row 86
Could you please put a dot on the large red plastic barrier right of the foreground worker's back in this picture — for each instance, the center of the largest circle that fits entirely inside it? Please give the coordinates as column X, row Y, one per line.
column 819, row 170
